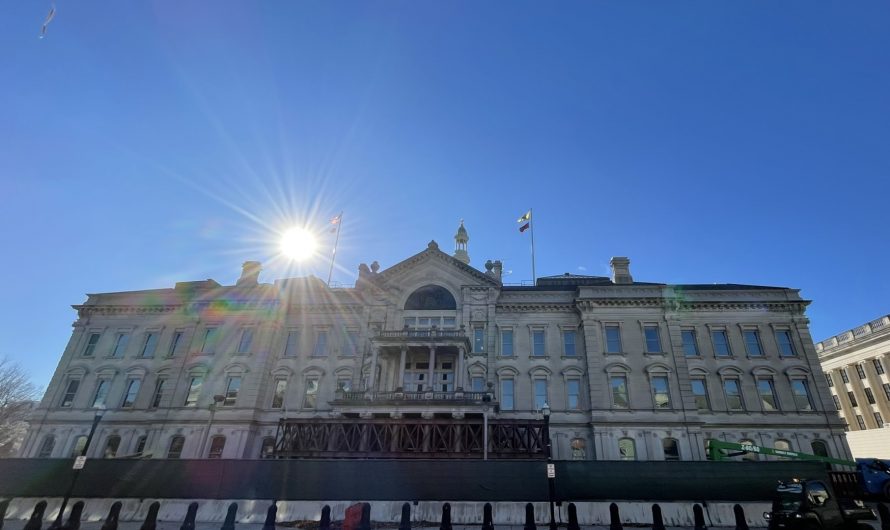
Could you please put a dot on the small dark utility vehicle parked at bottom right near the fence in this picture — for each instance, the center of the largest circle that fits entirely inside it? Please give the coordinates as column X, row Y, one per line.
column 817, row 504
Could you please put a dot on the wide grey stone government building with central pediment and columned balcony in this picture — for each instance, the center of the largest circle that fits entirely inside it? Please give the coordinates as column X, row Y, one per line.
column 432, row 357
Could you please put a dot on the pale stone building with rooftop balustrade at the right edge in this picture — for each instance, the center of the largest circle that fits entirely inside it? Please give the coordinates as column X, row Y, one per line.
column 855, row 364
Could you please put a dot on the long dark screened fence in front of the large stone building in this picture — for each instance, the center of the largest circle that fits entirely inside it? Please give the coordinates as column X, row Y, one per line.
column 397, row 480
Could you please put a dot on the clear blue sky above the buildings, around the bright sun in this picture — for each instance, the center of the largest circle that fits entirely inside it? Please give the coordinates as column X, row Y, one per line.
column 144, row 143
